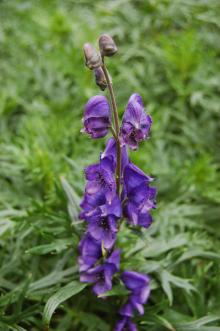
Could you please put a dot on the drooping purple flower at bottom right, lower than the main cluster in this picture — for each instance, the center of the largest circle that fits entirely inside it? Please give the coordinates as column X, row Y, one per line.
column 139, row 285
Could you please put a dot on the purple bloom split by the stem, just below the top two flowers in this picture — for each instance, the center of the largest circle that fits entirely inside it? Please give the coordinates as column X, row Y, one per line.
column 110, row 151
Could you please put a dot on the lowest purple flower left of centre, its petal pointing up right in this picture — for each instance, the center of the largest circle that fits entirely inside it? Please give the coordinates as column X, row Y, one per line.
column 102, row 275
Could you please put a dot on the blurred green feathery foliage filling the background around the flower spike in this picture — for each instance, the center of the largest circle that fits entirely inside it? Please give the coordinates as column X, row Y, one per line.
column 169, row 52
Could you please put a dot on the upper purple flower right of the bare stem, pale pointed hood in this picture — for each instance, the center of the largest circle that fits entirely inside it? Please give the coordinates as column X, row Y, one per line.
column 135, row 123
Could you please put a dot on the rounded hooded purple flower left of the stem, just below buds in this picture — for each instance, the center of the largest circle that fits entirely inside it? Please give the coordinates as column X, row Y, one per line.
column 97, row 117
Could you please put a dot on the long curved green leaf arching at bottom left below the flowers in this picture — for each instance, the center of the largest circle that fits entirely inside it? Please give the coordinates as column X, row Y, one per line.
column 62, row 295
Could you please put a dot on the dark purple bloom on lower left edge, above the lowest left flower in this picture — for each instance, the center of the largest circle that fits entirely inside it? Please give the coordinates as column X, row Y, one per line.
column 90, row 252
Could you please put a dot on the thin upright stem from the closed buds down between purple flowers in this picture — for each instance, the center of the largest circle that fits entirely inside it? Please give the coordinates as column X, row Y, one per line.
column 117, row 127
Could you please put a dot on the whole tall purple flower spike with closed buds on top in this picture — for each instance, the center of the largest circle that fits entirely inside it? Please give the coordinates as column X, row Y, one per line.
column 115, row 189
